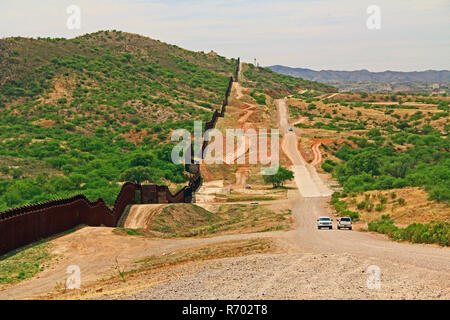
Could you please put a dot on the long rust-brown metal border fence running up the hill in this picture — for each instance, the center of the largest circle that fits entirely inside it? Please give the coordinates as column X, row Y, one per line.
column 25, row 225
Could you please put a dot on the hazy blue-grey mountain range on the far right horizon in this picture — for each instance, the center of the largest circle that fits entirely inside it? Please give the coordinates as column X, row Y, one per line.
column 364, row 80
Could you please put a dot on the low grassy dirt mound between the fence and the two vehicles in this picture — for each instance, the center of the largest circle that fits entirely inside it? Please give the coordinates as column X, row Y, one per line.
column 188, row 220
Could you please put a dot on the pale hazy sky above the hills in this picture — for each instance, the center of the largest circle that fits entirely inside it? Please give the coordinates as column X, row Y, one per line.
column 317, row 34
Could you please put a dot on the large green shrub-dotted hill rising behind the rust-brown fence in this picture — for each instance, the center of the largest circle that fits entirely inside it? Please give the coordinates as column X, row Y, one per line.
column 85, row 114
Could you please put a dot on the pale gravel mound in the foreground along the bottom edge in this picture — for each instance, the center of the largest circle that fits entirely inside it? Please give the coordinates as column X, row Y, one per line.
column 290, row 276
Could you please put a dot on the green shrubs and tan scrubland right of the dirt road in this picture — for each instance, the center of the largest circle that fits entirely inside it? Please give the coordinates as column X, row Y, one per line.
column 376, row 146
